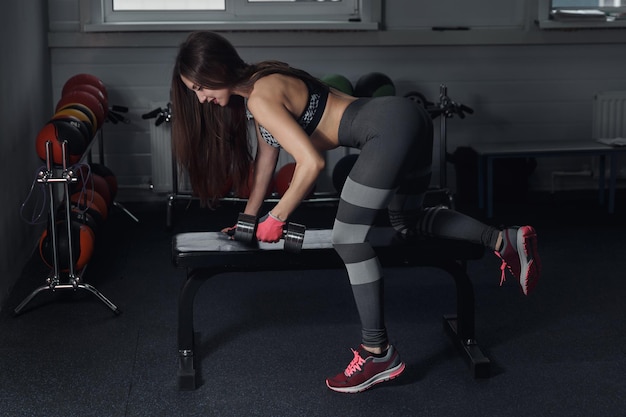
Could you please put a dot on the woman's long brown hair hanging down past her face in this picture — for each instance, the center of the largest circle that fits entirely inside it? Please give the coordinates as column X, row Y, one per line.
column 211, row 142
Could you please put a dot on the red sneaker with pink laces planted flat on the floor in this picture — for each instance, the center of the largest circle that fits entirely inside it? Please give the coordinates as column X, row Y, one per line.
column 366, row 370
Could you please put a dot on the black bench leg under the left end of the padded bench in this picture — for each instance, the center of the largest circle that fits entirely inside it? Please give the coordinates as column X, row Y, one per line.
column 187, row 378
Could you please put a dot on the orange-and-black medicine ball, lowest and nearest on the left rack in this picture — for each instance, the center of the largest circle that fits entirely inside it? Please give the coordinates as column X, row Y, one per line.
column 82, row 238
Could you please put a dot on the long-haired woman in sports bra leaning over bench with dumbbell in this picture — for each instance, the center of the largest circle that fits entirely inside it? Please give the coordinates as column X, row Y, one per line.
column 215, row 93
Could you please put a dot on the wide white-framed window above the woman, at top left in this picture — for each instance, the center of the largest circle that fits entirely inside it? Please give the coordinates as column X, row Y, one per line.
column 134, row 15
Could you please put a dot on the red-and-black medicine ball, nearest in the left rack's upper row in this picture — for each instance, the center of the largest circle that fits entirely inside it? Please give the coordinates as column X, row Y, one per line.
column 56, row 132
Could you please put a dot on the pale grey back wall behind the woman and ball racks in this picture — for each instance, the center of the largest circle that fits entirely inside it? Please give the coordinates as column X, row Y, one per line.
column 522, row 82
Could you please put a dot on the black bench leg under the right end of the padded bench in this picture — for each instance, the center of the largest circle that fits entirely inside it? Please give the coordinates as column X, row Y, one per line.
column 460, row 327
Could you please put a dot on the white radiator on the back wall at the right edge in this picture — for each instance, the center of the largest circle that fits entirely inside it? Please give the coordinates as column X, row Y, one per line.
column 609, row 115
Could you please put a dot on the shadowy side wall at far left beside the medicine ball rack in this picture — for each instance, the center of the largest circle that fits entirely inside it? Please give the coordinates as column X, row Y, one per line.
column 24, row 109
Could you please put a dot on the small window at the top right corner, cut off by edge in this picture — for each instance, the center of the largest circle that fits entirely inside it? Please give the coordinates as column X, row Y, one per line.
column 582, row 13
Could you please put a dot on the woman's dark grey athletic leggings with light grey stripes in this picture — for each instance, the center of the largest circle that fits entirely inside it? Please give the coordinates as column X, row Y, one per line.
column 393, row 170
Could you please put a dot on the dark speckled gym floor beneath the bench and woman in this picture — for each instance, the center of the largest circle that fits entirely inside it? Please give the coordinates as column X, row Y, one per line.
column 268, row 340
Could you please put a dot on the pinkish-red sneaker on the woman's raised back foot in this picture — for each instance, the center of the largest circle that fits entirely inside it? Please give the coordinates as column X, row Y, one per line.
column 519, row 255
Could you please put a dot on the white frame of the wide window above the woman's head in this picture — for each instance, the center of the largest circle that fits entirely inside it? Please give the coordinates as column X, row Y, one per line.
column 99, row 16
